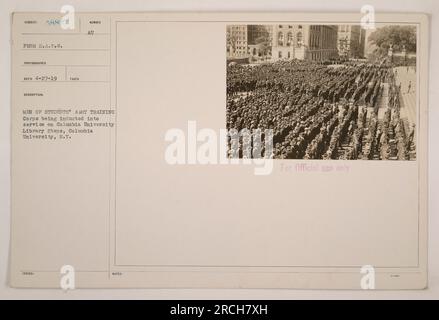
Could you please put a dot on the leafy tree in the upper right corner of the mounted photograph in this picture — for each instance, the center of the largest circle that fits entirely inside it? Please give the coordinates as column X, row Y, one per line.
column 396, row 36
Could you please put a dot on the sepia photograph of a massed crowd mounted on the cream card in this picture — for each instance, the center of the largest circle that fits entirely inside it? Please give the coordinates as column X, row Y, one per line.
column 331, row 92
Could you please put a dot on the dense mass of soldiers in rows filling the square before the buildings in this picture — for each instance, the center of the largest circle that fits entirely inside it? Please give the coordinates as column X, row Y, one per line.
column 320, row 112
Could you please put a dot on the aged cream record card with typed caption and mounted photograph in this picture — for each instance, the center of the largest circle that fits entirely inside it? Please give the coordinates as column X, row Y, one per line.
column 120, row 174
